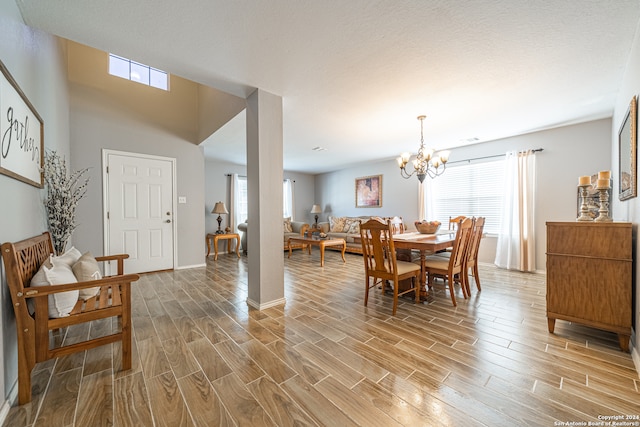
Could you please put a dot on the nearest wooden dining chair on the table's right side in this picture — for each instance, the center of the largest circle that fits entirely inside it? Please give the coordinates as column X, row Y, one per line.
column 451, row 268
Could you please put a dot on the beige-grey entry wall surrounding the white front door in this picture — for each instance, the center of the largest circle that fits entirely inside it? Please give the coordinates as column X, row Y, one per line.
column 97, row 123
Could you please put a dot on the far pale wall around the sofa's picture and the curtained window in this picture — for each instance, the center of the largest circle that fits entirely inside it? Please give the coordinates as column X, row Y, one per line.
column 569, row 152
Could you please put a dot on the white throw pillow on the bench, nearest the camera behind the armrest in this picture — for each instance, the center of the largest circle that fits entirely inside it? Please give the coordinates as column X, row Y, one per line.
column 61, row 304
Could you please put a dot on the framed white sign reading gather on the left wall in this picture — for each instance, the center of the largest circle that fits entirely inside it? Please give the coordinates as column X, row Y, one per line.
column 21, row 134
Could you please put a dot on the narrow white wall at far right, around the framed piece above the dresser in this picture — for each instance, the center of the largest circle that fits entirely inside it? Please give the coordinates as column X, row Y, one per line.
column 628, row 210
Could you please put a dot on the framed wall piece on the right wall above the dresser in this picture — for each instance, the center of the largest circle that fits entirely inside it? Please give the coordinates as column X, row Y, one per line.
column 627, row 146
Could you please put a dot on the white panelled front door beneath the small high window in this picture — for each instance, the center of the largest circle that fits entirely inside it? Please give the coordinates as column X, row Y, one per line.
column 139, row 210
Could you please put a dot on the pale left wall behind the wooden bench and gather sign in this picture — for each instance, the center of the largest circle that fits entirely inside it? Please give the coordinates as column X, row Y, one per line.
column 36, row 61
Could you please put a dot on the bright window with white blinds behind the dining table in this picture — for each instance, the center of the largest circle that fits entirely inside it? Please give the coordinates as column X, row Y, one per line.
column 472, row 190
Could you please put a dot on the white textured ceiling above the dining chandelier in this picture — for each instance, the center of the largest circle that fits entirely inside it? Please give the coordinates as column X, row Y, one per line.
column 354, row 75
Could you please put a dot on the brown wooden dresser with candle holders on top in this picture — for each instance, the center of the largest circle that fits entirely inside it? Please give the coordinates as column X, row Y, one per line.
column 589, row 275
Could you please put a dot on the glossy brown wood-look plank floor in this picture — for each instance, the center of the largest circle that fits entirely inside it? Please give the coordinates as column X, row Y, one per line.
column 202, row 357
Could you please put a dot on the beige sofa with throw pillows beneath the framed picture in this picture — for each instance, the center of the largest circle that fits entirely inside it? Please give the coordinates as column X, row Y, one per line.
column 348, row 228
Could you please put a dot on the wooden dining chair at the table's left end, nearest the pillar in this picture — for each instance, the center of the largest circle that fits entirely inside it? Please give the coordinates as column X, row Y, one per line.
column 381, row 265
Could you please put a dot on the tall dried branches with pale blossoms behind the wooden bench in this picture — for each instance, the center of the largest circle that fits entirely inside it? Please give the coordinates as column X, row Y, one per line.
column 64, row 191
